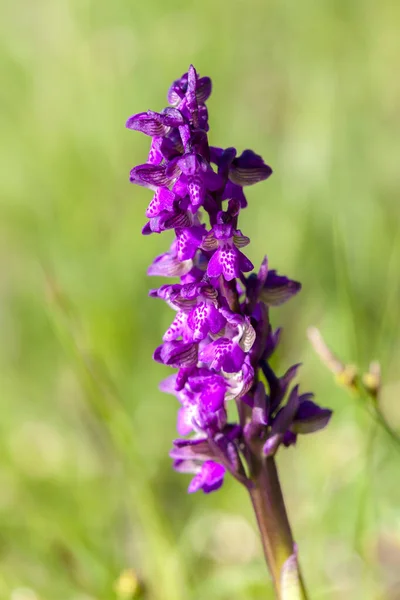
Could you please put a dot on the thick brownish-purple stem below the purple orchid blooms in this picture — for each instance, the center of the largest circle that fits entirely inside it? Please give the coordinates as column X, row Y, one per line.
column 276, row 535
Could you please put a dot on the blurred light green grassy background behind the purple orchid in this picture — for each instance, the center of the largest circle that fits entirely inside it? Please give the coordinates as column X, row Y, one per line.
column 86, row 488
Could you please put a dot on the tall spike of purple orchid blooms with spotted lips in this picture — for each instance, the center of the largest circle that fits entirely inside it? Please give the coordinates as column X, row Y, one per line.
column 221, row 339
